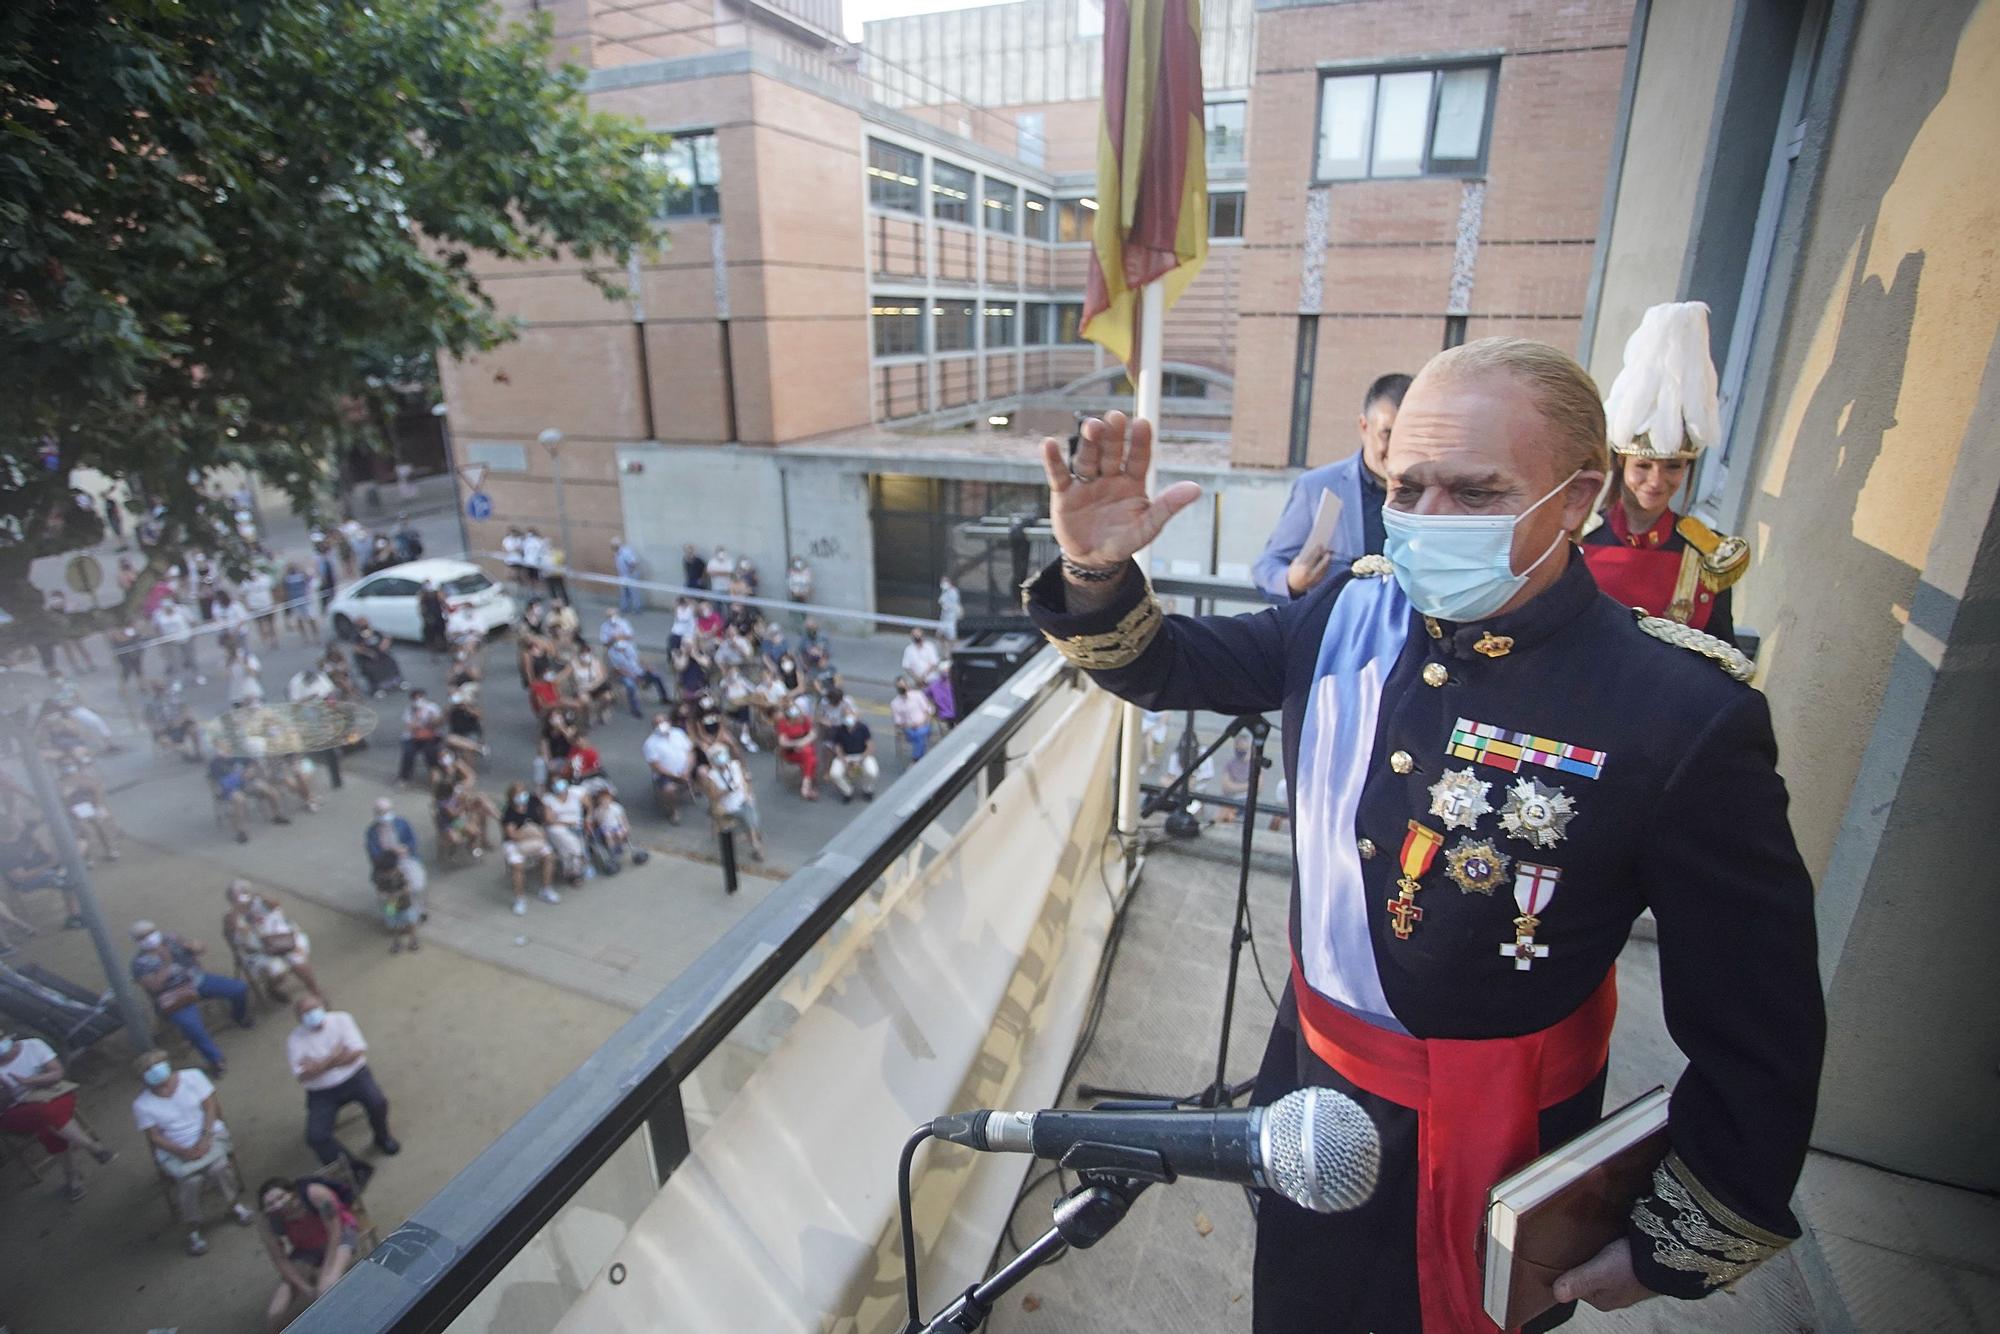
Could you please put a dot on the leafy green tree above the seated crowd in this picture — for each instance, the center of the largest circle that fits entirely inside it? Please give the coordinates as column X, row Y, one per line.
column 221, row 221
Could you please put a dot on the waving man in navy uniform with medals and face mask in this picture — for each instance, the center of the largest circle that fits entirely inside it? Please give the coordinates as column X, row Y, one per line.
column 1495, row 769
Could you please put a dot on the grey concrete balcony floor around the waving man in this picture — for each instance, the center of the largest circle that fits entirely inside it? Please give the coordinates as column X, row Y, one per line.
column 1881, row 1253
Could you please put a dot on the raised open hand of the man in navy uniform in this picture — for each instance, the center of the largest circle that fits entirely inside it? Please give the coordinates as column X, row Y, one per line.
column 1101, row 511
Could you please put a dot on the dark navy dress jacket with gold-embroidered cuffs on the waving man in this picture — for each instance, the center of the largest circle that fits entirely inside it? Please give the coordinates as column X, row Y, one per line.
column 1687, row 819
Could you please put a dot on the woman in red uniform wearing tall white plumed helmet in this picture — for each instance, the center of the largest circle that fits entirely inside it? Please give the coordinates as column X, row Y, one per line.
column 1661, row 415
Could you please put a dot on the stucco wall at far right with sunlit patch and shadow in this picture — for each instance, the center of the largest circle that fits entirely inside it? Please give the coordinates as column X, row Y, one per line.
column 1871, row 507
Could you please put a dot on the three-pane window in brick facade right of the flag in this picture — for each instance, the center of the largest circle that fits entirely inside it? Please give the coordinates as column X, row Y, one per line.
column 1405, row 123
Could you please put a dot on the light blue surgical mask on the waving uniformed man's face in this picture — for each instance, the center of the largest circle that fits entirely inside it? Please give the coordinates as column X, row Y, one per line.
column 1461, row 567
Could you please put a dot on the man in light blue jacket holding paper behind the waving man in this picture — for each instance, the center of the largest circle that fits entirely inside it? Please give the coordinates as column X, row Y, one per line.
column 1289, row 569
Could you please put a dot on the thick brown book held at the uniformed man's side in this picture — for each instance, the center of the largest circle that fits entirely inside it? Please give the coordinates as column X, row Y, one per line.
column 1567, row 1207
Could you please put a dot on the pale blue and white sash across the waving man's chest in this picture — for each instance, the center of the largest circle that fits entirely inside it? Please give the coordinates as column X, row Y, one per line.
column 1365, row 635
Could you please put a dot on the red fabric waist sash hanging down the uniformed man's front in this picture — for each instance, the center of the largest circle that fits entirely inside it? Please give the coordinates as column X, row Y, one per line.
column 1477, row 1107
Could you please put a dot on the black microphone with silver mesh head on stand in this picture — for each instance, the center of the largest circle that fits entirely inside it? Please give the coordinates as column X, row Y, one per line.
column 1315, row 1147
